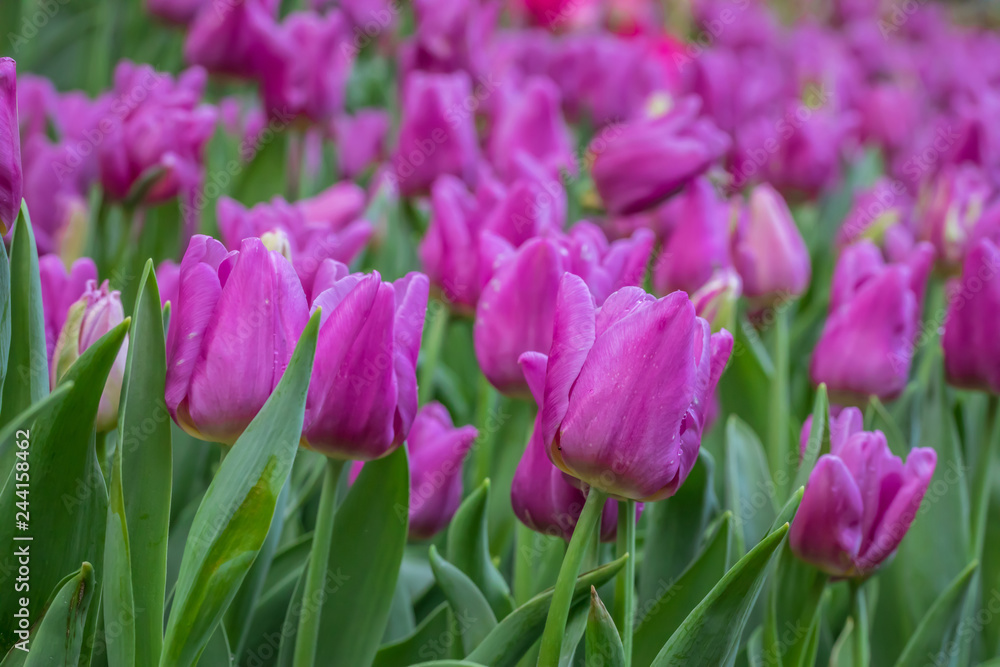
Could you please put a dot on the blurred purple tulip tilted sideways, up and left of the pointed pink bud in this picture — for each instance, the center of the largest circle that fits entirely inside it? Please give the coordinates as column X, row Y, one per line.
column 654, row 157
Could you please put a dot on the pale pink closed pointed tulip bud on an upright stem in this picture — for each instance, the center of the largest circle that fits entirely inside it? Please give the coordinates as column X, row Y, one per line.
column 768, row 250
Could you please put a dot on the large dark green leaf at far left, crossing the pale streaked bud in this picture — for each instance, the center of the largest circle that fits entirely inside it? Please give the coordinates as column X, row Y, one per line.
column 69, row 499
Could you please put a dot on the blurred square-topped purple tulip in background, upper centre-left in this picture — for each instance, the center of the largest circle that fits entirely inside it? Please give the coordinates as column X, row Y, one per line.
column 437, row 133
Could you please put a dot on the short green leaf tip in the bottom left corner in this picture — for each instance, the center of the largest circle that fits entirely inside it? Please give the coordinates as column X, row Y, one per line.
column 60, row 636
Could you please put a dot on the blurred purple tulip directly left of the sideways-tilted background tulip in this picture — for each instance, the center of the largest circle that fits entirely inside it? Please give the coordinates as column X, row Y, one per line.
column 530, row 120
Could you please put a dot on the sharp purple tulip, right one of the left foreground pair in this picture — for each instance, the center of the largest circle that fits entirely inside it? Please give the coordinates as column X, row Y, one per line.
column 363, row 395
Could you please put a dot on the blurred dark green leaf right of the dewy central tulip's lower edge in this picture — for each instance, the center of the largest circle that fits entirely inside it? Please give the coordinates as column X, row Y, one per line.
column 674, row 530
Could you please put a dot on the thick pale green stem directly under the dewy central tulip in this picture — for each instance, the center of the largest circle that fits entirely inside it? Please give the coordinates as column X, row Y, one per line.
column 562, row 596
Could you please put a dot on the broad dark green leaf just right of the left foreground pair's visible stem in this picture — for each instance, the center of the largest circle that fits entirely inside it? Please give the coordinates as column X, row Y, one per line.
column 369, row 535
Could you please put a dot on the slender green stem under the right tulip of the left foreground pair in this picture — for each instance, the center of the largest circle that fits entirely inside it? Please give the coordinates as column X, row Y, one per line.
column 319, row 555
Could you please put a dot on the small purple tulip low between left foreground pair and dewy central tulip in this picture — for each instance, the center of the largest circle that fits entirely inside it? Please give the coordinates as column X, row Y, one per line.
column 435, row 449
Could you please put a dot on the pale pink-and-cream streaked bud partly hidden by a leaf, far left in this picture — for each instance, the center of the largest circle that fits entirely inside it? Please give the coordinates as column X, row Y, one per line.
column 97, row 312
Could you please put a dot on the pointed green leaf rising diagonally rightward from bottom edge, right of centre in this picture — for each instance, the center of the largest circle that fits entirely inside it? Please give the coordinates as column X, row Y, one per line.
column 711, row 634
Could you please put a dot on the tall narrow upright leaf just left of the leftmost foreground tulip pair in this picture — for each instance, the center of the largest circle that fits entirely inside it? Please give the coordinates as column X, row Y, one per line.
column 143, row 462
